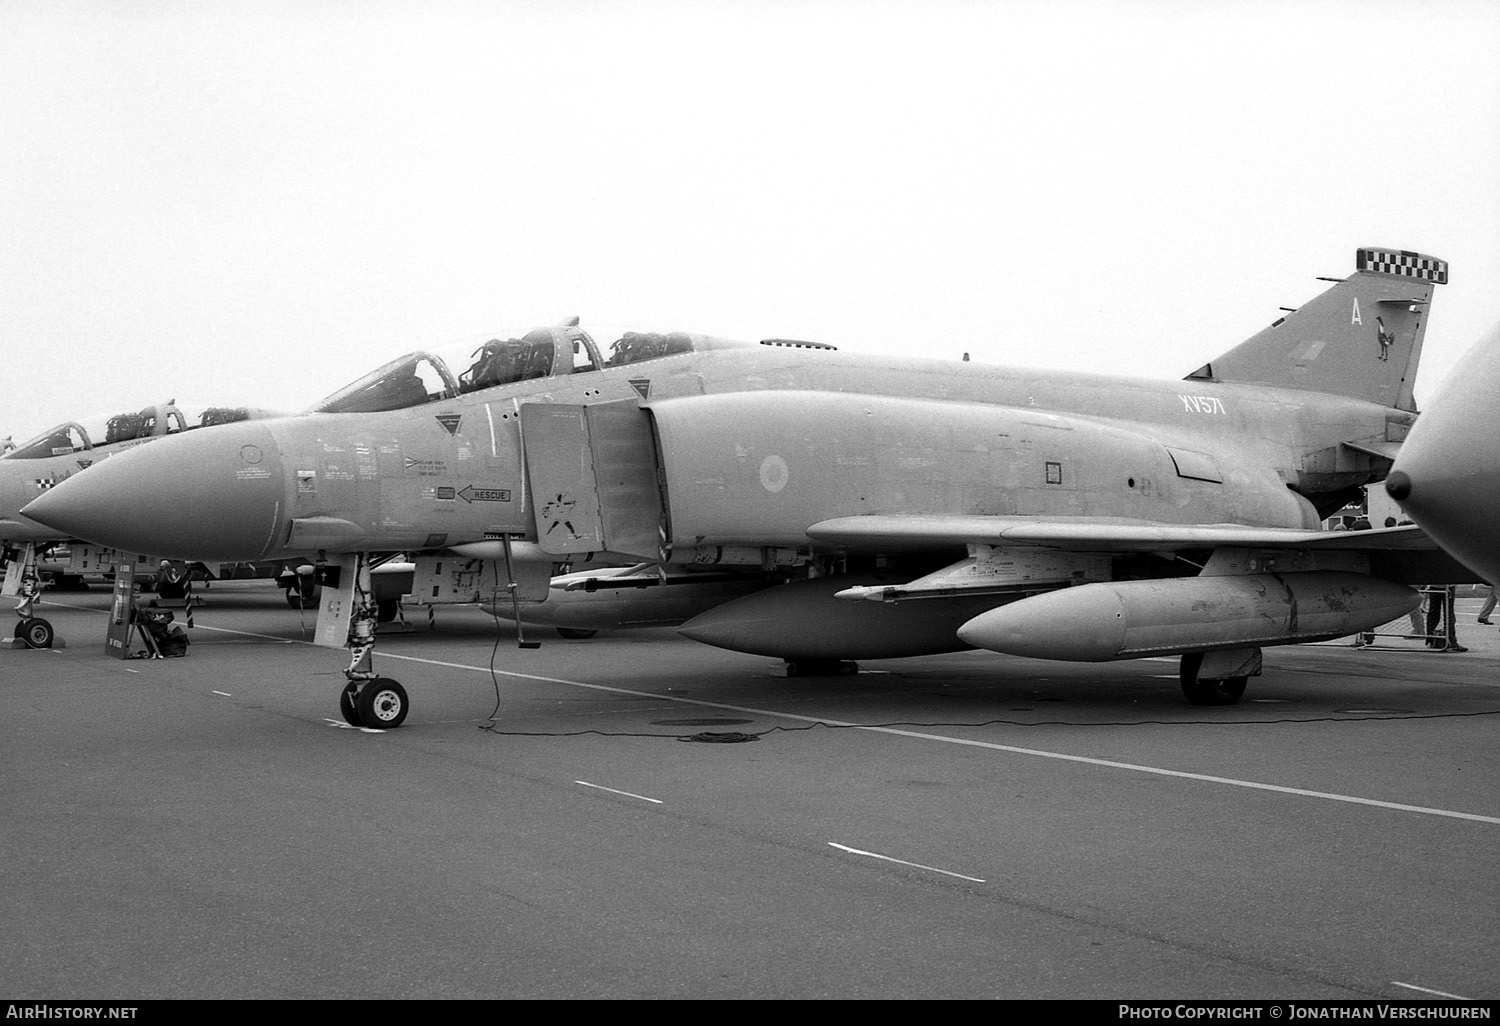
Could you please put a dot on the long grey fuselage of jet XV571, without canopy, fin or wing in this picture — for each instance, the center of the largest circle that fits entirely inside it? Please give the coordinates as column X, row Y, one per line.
column 755, row 443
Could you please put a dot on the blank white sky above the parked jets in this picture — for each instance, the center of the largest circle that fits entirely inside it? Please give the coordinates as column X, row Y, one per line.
column 256, row 203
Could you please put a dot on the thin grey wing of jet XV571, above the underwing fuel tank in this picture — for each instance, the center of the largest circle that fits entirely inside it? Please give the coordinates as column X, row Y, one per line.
column 1100, row 535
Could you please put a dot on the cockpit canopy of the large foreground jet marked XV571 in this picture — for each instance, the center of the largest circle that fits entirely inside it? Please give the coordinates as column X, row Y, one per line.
column 541, row 353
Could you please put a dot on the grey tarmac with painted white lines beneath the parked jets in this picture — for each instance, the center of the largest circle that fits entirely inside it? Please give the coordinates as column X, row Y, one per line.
column 643, row 817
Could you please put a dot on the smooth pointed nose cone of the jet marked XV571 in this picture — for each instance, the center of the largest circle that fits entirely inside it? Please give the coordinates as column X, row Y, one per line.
column 208, row 494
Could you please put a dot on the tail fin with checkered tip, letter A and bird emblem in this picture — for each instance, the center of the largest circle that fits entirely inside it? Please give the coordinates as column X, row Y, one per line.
column 1361, row 338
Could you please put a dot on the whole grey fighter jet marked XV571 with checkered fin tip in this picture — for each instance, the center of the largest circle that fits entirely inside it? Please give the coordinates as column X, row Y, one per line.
column 908, row 506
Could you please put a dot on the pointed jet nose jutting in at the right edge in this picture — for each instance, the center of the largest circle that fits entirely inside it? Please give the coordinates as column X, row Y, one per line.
column 1448, row 473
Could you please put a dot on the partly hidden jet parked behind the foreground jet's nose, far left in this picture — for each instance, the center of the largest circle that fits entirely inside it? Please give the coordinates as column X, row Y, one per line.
column 41, row 464
